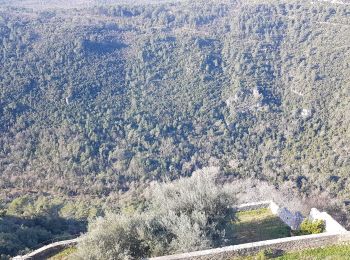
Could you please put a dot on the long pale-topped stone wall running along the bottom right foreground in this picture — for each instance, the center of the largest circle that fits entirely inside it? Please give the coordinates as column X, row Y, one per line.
column 284, row 244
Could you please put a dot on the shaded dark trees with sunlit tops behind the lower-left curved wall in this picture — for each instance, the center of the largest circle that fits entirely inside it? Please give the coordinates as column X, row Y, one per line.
column 29, row 222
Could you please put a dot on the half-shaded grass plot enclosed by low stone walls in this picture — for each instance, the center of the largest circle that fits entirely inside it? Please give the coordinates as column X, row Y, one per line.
column 256, row 225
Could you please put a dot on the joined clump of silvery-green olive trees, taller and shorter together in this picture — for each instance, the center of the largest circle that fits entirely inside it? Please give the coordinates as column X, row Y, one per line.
column 185, row 215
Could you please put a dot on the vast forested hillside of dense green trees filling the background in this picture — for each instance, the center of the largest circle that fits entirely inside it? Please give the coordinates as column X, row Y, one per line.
column 96, row 99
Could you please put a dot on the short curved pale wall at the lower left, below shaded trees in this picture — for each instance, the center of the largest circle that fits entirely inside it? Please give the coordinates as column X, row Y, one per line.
column 48, row 251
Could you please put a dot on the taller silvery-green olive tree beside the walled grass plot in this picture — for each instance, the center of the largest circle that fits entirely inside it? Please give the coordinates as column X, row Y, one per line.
column 193, row 210
